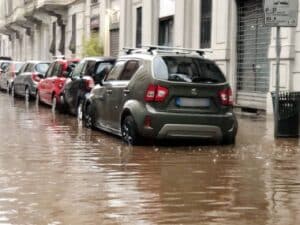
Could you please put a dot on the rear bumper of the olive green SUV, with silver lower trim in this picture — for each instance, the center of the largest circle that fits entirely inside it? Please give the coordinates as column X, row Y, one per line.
column 187, row 126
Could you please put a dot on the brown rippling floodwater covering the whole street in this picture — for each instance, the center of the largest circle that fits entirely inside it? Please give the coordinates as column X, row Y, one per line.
column 53, row 171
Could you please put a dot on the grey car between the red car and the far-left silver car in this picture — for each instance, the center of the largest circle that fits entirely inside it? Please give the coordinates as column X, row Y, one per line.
column 25, row 82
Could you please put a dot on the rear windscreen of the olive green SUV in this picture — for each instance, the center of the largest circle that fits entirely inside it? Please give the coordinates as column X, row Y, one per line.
column 187, row 69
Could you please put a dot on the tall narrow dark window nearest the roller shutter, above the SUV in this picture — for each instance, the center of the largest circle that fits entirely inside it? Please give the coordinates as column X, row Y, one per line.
column 206, row 21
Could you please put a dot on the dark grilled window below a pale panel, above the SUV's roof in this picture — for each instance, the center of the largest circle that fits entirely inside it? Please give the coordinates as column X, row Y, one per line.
column 166, row 31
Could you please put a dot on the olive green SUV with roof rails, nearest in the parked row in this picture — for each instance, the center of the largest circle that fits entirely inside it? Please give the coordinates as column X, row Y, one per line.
column 163, row 93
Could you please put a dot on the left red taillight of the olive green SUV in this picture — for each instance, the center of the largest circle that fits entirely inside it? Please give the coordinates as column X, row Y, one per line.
column 156, row 93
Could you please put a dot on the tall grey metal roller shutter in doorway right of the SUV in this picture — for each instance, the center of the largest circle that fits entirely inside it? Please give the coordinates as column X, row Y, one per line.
column 253, row 68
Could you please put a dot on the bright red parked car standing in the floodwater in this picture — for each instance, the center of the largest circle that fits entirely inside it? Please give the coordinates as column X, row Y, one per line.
column 49, row 88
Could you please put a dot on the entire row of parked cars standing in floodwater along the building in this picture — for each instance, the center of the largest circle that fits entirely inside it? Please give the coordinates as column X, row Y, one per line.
column 146, row 94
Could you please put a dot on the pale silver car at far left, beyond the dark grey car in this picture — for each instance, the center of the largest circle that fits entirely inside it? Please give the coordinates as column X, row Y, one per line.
column 8, row 75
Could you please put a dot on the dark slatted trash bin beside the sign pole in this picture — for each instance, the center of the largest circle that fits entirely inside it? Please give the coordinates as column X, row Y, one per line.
column 288, row 116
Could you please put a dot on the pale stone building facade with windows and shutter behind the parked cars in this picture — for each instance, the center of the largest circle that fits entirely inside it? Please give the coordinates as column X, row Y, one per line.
column 233, row 30
